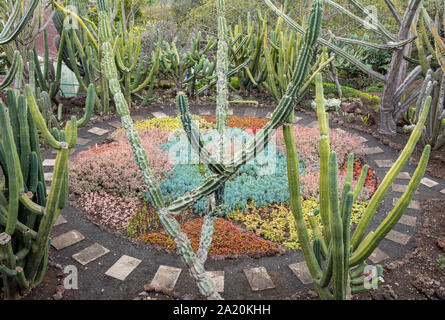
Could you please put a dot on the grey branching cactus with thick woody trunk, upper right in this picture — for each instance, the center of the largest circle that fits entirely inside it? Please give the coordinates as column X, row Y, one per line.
column 397, row 79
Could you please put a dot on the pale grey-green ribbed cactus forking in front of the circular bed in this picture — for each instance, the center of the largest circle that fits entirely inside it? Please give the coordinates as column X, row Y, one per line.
column 221, row 170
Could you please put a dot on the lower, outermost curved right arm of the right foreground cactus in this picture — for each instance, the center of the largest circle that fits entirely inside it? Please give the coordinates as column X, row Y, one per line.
column 364, row 251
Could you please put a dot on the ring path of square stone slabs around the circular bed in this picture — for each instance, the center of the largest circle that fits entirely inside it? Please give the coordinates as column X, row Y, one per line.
column 99, row 255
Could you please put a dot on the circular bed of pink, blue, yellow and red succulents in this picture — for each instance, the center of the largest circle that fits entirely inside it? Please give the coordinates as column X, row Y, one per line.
column 108, row 186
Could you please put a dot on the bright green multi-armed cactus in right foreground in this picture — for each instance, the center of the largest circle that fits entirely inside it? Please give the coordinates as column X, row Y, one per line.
column 343, row 271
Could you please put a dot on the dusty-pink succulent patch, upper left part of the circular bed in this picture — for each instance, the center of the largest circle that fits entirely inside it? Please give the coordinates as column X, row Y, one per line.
column 111, row 168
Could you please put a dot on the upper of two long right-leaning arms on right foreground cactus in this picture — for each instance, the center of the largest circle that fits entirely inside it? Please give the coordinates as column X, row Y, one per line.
column 390, row 177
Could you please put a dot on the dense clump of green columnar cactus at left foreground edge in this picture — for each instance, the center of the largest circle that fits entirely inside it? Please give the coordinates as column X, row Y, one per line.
column 27, row 214
